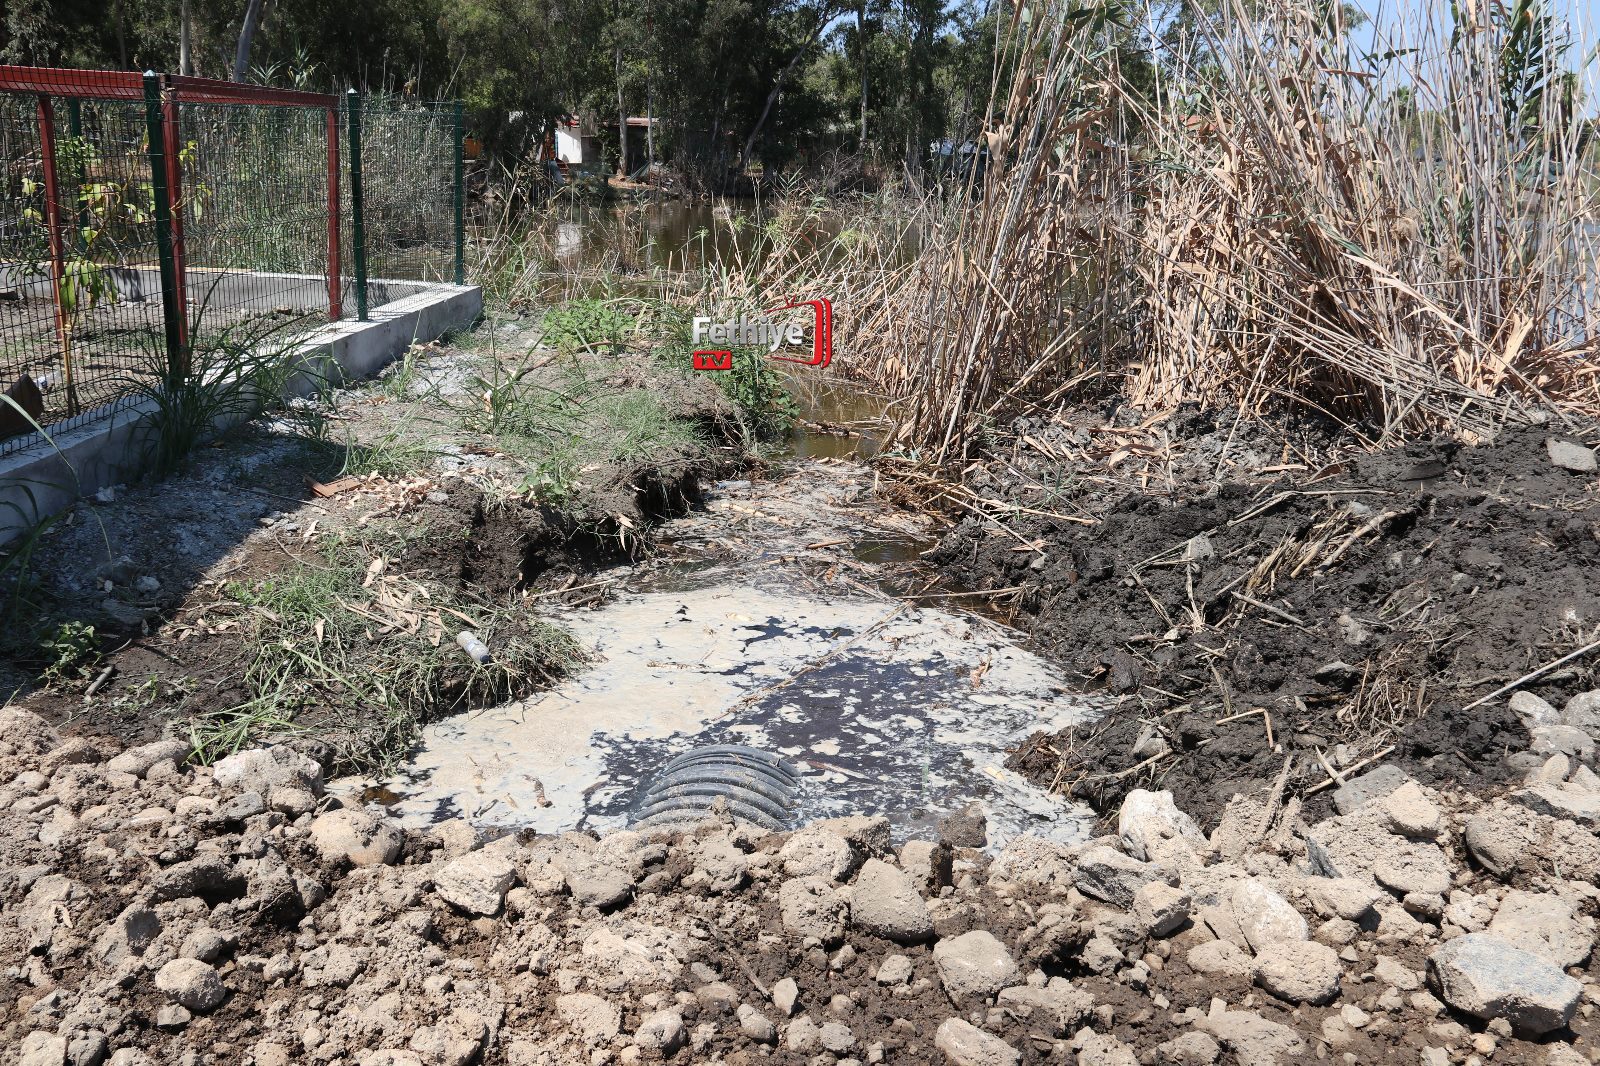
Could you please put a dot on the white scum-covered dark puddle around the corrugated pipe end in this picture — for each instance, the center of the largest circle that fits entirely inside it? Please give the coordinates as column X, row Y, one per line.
column 886, row 708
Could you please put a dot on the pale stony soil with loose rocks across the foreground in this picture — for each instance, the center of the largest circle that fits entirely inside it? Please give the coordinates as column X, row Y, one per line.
column 164, row 913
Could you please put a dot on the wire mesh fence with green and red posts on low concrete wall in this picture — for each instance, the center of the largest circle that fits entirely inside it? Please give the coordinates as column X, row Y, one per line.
column 148, row 218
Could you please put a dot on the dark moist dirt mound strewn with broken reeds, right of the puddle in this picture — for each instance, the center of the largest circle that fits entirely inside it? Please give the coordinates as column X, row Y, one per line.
column 1329, row 615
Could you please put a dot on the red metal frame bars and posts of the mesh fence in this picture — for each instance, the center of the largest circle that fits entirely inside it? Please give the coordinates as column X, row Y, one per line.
column 177, row 90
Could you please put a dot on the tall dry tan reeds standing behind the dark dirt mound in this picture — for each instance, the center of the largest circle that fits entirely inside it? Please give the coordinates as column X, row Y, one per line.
column 1404, row 241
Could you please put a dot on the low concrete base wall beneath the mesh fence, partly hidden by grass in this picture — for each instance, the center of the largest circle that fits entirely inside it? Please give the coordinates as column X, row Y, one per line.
column 49, row 476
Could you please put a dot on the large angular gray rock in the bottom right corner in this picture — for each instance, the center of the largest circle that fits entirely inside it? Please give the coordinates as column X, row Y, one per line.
column 1490, row 979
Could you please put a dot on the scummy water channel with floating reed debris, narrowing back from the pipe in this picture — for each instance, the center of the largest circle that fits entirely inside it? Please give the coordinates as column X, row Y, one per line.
column 767, row 620
